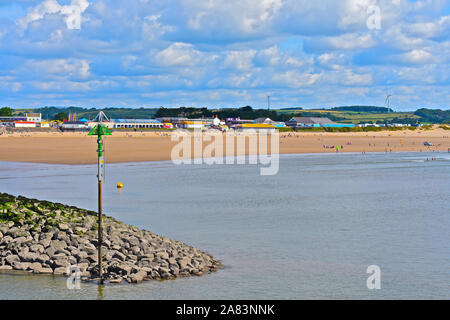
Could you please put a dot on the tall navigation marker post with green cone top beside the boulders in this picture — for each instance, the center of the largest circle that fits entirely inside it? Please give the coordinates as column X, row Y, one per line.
column 100, row 130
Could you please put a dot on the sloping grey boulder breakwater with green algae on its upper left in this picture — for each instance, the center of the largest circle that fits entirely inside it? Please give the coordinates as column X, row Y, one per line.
column 43, row 237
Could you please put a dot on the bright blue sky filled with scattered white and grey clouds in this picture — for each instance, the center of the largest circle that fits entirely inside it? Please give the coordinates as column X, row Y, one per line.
column 225, row 53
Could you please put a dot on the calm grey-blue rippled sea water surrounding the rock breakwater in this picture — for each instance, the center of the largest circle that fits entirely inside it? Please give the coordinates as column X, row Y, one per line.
column 309, row 232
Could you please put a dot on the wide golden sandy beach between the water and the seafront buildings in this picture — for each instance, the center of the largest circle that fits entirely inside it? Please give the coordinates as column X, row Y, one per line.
column 78, row 148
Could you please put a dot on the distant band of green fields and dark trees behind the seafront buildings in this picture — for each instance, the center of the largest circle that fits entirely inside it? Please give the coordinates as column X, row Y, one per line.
column 344, row 114
